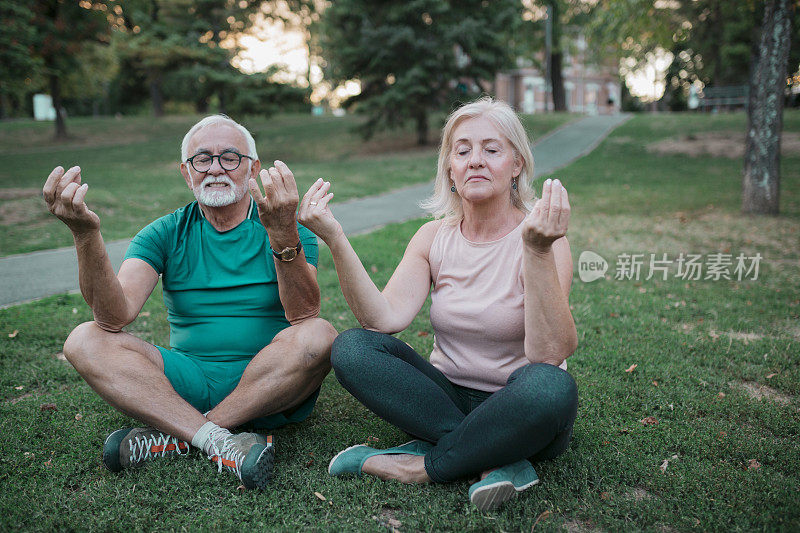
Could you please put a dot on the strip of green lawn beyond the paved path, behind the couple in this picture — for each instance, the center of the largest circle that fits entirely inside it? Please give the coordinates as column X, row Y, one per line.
column 131, row 167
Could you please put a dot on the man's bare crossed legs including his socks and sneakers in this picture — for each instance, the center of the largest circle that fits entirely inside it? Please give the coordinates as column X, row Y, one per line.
column 129, row 374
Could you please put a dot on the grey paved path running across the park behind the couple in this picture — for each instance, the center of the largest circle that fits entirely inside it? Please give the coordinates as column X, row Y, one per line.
column 27, row 277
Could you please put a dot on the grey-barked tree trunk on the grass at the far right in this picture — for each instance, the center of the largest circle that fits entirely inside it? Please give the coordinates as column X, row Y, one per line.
column 761, row 181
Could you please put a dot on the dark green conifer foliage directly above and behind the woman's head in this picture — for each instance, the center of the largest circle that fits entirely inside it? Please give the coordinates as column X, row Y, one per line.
column 416, row 57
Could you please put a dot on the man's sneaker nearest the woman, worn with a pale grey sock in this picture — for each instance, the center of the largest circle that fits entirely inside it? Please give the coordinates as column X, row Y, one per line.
column 248, row 455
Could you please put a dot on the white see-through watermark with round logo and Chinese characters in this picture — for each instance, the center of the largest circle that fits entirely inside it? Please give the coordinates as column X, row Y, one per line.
column 691, row 267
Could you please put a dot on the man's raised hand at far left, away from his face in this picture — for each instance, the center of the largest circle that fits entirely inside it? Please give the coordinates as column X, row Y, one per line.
column 64, row 195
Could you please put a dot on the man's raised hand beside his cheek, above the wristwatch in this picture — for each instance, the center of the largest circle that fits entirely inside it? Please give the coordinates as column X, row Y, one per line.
column 277, row 206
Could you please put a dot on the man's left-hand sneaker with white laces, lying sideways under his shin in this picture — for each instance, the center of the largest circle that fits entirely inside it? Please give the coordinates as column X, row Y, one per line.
column 133, row 447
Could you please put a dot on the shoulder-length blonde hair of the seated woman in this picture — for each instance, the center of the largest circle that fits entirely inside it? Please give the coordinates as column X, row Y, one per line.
column 444, row 203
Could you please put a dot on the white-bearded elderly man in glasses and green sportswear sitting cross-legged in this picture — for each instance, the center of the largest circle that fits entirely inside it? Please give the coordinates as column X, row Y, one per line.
column 240, row 286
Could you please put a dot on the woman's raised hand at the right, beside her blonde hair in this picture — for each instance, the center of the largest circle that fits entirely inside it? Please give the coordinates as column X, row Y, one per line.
column 549, row 218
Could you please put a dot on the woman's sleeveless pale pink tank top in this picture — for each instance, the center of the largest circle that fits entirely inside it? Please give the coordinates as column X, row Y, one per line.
column 477, row 309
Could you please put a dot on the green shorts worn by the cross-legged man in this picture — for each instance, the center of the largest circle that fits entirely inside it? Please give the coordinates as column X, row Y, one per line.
column 205, row 383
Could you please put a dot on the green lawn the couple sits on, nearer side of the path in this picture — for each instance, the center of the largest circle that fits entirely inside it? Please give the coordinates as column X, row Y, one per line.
column 718, row 370
